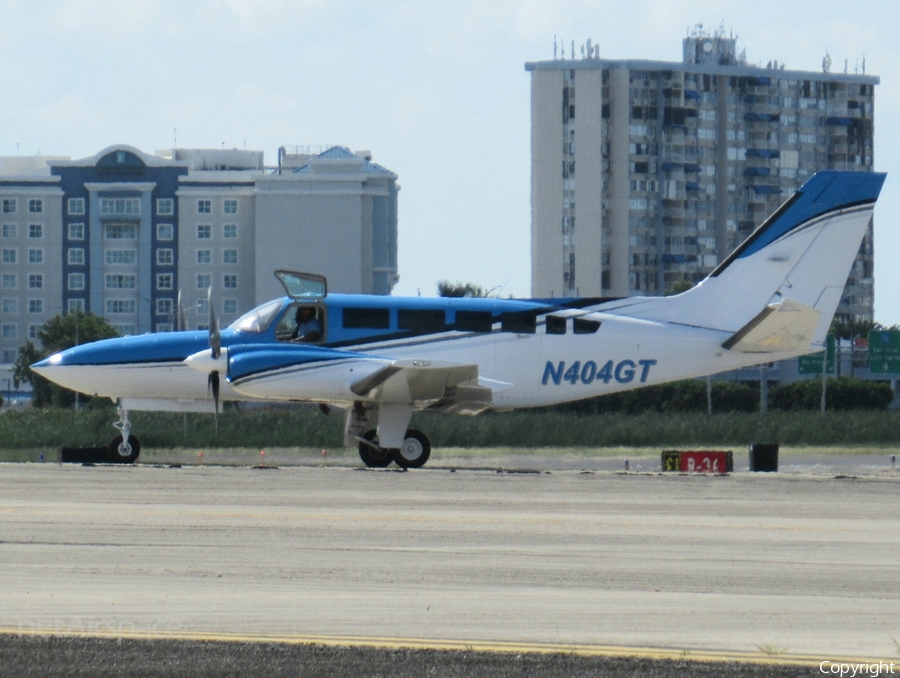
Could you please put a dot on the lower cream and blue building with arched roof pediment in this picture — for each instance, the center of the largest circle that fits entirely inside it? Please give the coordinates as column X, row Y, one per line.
column 119, row 234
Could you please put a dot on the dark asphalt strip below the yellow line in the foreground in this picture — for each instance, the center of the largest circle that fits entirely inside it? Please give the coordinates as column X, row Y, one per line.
column 93, row 658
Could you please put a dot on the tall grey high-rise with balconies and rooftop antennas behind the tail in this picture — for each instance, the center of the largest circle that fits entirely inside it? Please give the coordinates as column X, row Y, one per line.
column 648, row 173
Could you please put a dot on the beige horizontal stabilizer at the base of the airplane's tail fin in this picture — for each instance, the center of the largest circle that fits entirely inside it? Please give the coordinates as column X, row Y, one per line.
column 785, row 326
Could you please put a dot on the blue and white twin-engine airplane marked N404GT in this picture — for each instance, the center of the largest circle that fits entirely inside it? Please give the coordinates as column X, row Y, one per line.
column 384, row 357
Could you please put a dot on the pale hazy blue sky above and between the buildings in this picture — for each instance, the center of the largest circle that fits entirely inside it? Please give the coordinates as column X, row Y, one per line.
column 437, row 91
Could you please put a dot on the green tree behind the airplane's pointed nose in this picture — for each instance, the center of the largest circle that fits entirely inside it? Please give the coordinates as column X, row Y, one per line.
column 57, row 334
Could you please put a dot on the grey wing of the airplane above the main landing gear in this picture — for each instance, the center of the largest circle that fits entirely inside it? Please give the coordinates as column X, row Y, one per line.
column 438, row 385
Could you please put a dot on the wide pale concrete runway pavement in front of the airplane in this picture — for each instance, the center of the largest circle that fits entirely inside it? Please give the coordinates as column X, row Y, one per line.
column 745, row 565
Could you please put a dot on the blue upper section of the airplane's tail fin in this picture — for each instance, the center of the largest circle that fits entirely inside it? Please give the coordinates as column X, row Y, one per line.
column 824, row 192
